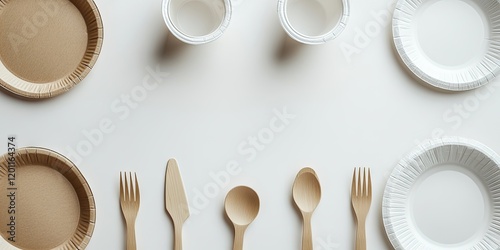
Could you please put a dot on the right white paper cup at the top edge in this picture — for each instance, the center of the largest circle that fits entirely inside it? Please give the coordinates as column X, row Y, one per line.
column 313, row 21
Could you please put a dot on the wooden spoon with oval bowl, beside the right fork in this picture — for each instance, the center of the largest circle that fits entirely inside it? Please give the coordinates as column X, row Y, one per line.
column 306, row 193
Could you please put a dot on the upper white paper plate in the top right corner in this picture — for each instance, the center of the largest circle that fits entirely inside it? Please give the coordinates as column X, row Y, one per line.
column 450, row 44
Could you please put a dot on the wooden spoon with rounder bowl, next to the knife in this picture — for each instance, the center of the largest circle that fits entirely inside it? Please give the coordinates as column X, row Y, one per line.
column 242, row 206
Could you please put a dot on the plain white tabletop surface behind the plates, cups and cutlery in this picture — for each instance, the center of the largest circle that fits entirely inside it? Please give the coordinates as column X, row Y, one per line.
column 350, row 111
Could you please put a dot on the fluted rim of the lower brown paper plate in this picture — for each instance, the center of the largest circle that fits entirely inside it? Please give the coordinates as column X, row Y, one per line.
column 63, row 165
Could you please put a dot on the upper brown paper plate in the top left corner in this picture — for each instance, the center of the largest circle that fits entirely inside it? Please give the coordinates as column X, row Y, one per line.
column 47, row 46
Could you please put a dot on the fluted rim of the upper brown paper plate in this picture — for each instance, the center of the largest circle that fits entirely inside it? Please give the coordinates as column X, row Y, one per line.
column 92, row 17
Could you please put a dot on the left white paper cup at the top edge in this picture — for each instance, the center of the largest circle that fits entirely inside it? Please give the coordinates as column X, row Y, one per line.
column 197, row 21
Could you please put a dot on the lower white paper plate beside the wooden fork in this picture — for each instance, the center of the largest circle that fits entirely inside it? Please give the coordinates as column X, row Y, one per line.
column 444, row 195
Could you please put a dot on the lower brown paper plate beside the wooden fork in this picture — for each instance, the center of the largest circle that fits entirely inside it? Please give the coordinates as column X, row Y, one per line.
column 48, row 204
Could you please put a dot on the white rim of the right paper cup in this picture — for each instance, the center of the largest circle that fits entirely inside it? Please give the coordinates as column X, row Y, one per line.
column 331, row 34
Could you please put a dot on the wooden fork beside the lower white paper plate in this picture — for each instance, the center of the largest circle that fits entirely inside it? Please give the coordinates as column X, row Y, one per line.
column 361, row 198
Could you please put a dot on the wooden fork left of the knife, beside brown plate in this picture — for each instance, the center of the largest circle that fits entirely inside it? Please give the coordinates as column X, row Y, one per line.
column 129, row 200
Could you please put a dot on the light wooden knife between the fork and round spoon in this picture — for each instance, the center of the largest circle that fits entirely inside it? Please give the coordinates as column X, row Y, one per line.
column 175, row 201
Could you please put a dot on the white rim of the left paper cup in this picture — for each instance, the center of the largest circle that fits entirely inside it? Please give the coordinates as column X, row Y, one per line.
column 197, row 40
